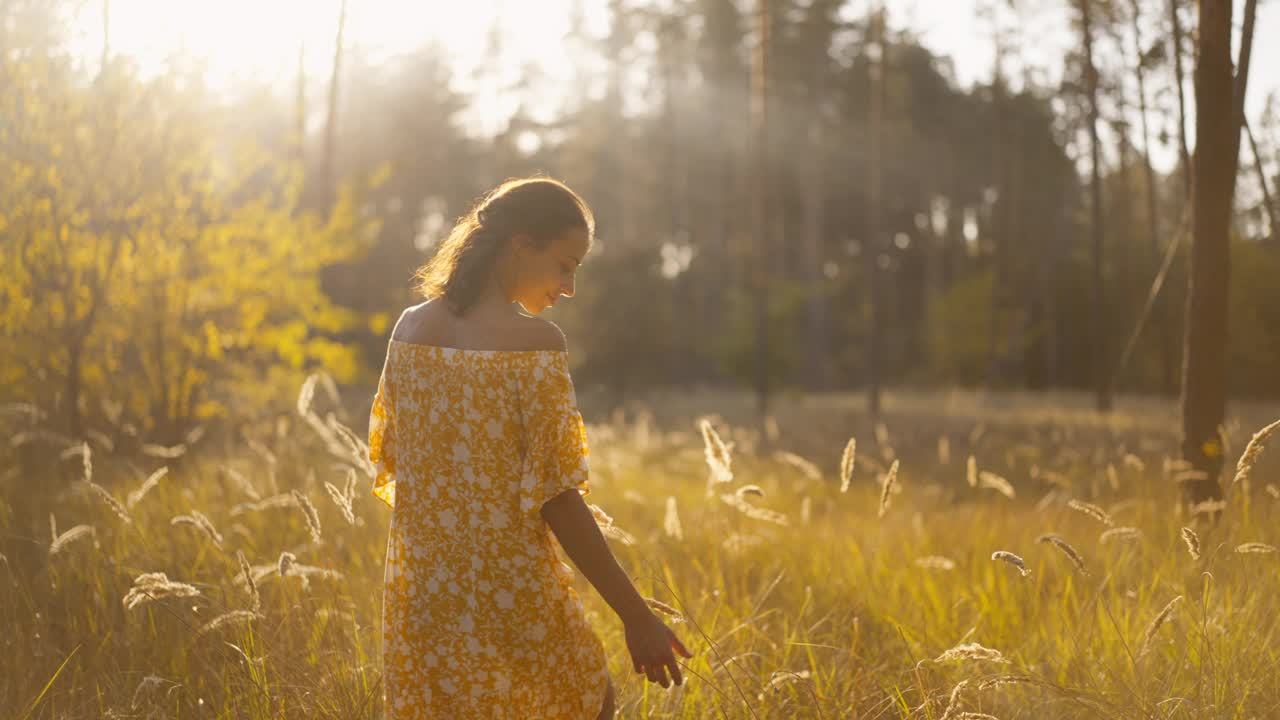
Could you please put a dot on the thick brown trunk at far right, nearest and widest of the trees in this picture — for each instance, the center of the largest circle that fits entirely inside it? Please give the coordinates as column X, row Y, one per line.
column 1204, row 403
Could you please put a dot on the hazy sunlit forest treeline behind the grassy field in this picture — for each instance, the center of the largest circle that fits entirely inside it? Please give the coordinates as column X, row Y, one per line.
column 170, row 256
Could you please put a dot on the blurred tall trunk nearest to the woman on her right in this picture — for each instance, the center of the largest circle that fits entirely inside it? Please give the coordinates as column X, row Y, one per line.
column 760, row 198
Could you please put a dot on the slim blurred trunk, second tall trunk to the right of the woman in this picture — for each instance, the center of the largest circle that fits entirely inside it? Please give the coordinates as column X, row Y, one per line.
column 872, row 250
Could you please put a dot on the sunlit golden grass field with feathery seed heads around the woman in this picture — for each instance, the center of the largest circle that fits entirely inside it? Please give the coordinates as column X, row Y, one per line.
column 130, row 598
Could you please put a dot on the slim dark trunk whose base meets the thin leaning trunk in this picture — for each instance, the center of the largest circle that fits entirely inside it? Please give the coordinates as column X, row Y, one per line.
column 1101, row 381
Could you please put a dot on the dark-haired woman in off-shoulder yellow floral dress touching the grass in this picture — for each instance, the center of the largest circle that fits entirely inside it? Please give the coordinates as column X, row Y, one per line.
column 482, row 453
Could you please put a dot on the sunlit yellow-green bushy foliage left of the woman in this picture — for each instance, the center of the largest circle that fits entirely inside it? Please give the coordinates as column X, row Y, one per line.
column 154, row 263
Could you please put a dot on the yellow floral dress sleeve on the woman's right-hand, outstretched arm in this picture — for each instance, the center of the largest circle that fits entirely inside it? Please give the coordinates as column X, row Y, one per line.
column 556, row 449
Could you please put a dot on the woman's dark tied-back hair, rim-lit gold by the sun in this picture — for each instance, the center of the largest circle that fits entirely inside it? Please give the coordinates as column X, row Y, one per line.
column 540, row 207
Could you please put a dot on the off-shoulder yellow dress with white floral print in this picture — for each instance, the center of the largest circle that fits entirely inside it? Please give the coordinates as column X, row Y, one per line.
column 481, row 619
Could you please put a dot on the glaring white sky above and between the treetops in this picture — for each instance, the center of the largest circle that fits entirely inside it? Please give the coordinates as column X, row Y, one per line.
column 260, row 39
